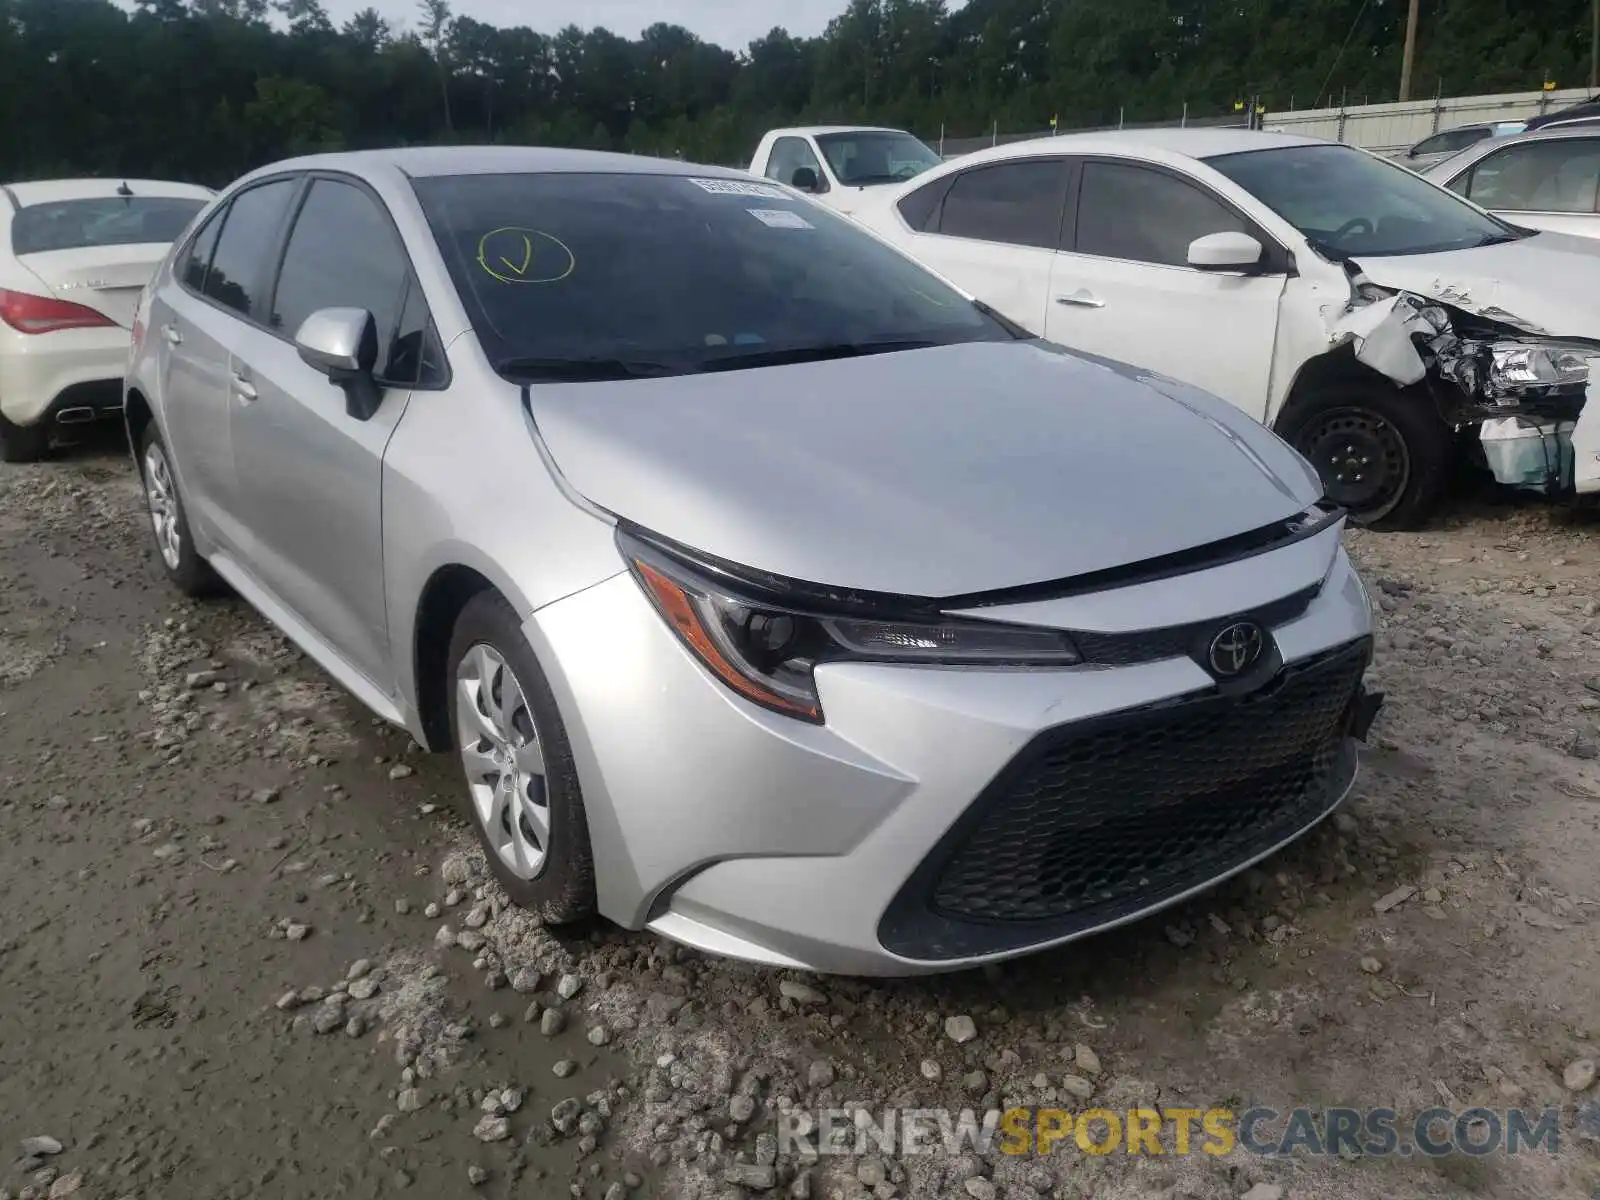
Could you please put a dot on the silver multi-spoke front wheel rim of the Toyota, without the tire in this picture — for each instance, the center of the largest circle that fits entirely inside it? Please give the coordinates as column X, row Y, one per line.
column 505, row 761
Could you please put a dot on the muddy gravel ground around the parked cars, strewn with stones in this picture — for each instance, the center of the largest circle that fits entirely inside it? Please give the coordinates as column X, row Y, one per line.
column 247, row 950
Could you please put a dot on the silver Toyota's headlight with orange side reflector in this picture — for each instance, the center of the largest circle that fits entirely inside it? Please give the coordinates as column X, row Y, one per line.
column 767, row 650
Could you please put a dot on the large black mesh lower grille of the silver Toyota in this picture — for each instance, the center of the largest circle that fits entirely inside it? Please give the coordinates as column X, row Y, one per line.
column 1100, row 820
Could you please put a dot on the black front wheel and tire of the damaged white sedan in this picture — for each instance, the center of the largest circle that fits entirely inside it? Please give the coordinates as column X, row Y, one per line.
column 1382, row 455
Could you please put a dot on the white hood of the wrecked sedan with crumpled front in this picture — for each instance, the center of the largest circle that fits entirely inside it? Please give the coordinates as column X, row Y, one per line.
column 1546, row 281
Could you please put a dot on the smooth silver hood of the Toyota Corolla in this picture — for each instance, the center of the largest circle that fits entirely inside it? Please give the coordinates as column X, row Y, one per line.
column 924, row 473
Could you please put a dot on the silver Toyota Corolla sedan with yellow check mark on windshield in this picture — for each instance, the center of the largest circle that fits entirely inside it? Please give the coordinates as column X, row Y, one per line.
column 772, row 593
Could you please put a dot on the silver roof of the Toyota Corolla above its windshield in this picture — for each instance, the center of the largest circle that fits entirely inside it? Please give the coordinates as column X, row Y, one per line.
column 422, row 162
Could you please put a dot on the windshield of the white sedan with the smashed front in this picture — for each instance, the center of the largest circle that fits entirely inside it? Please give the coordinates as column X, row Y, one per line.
column 1350, row 204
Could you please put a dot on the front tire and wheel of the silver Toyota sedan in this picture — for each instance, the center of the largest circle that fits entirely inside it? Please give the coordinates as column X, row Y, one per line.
column 521, row 788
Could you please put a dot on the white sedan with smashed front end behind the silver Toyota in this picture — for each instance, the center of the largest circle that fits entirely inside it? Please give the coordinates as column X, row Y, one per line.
column 1377, row 321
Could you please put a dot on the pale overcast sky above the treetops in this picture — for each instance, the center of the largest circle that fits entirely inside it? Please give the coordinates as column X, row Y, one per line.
column 729, row 23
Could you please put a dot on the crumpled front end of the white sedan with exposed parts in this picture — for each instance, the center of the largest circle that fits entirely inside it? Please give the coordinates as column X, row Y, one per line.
column 1524, row 388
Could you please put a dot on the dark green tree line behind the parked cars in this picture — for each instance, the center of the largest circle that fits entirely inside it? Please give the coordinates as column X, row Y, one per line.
column 209, row 89
